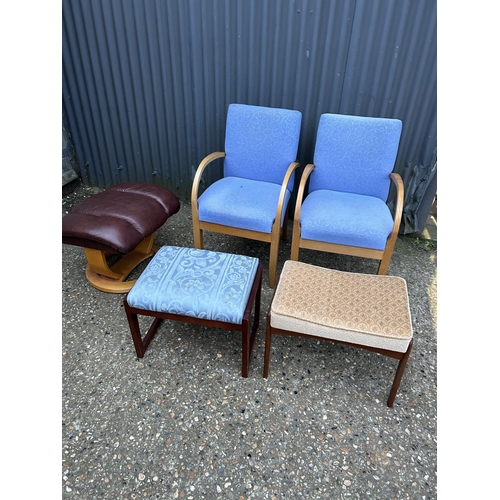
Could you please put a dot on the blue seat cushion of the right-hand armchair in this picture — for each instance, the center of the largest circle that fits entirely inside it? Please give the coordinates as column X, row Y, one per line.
column 346, row 219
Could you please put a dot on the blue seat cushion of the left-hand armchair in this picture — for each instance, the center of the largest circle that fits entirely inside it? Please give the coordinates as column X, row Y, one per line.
column 241, row 203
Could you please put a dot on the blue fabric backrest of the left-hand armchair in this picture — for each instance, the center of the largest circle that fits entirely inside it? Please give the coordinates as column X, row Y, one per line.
column 261, row 142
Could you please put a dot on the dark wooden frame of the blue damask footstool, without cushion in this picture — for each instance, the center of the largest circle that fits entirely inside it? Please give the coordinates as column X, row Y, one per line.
column 249, row 332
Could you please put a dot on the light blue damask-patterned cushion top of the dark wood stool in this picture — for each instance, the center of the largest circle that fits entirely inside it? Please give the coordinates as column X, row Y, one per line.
column 197, row 283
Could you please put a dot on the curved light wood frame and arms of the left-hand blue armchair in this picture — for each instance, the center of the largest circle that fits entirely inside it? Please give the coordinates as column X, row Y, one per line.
column 273, row 237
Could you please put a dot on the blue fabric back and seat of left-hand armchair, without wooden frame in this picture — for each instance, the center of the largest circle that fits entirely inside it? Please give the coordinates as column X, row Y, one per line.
column 261, row 143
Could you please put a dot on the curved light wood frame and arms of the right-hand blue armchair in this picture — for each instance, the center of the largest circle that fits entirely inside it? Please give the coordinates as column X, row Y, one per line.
column 384, row 256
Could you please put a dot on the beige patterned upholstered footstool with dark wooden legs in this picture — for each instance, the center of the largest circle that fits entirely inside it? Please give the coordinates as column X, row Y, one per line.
column 367, row 311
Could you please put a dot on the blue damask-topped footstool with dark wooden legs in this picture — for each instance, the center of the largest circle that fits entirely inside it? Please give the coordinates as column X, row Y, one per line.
column 197, row 286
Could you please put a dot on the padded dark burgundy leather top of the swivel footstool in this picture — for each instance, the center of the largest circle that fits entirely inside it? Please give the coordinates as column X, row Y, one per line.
column 119, row 218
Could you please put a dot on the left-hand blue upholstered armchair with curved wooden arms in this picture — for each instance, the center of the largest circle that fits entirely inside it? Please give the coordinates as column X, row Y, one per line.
column 251, row 200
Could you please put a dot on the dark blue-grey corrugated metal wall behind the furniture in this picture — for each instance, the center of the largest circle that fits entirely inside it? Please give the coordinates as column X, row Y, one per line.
column 146, row 83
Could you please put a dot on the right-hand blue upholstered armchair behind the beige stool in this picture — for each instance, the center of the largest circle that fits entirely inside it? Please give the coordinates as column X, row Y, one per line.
column 345, row 210
